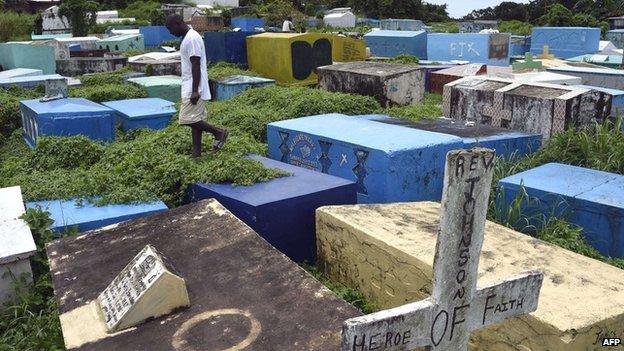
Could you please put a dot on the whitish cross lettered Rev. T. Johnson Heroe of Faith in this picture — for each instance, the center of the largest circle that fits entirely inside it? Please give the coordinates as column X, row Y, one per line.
column 456, row 308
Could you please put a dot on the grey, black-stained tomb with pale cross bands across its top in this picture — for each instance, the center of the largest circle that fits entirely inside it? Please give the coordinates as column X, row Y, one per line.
column 531, row 107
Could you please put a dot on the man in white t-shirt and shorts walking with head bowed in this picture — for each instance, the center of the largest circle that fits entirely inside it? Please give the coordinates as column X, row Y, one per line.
column 195, row 90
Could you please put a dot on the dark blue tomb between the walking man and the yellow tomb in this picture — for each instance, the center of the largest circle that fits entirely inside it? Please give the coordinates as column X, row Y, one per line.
column 227, row 47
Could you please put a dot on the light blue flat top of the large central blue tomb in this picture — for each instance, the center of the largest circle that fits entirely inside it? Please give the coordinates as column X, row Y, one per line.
column 370, row 134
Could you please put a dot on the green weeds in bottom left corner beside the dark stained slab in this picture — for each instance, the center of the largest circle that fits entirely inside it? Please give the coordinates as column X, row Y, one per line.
column 31, row 322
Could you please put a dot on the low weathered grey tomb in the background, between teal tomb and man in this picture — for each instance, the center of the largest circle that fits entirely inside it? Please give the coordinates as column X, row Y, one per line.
column 77, row 66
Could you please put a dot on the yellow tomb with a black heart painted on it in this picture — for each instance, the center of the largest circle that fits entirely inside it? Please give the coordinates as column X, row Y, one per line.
column 291, row 58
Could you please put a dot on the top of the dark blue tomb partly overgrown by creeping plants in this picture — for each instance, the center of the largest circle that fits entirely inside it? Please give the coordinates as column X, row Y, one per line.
column 281, row 188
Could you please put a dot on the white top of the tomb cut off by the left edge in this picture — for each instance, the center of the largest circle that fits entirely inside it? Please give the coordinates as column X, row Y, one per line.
column 15, row 236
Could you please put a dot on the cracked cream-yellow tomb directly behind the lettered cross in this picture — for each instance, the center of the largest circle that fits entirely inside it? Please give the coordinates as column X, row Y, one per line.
column 387, row 252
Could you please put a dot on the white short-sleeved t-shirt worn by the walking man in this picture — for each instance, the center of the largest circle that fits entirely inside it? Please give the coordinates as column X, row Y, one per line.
column 193, row 45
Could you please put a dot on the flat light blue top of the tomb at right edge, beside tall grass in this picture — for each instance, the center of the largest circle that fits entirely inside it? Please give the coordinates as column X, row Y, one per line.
column 557, row 178
